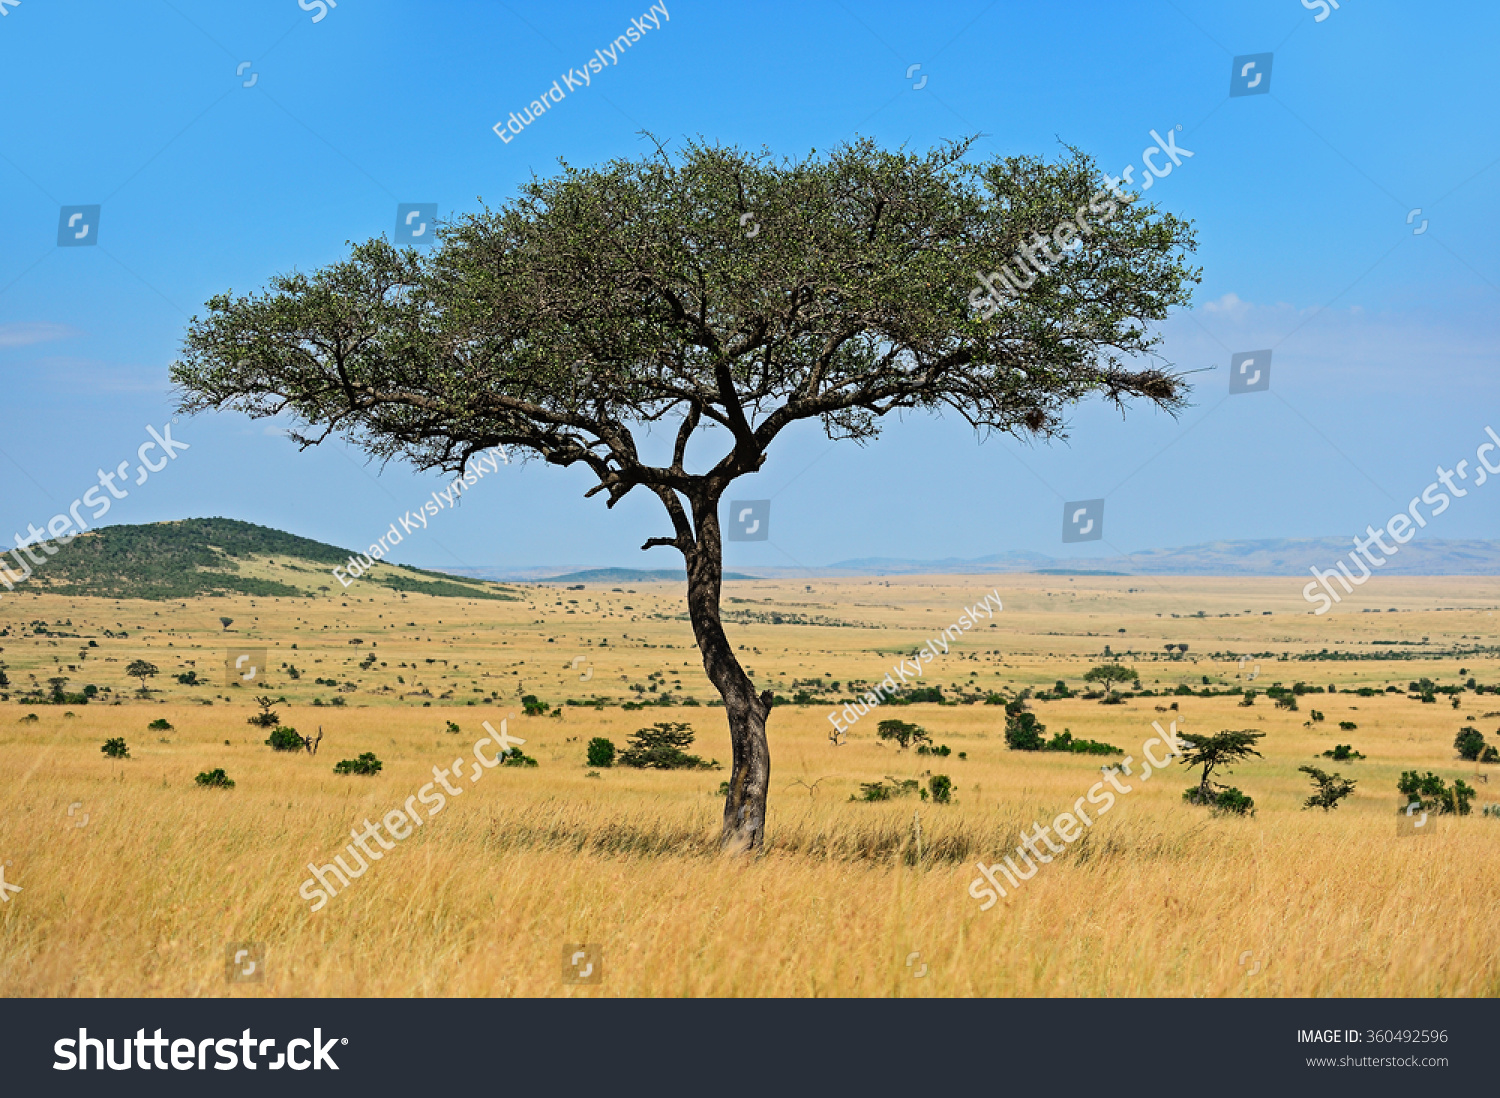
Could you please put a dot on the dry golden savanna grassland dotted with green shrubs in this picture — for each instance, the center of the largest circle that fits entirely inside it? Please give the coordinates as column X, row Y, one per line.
column 142, row 886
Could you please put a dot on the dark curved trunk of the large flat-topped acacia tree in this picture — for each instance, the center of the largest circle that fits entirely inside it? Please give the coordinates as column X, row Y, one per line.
column 749, row 782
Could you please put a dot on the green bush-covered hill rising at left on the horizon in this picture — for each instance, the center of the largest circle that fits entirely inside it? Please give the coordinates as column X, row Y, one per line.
column 206, row 557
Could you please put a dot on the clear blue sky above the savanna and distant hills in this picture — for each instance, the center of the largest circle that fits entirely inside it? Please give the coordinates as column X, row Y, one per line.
column 1384, row 338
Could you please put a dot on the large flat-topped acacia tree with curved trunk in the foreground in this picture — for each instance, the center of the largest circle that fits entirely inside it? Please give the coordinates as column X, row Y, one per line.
column 608, row 302
